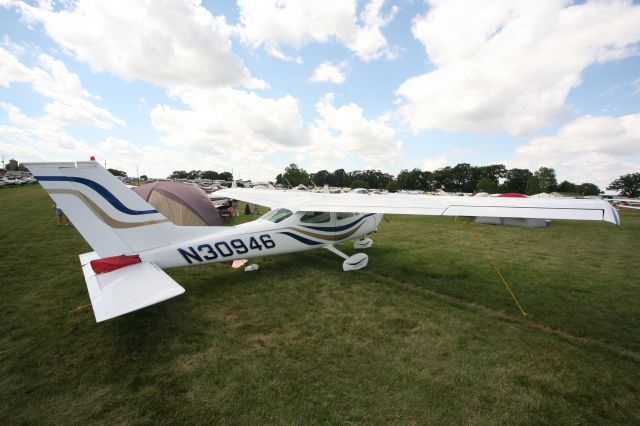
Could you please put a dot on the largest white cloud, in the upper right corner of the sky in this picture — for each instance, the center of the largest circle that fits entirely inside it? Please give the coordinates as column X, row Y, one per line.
column 510, row 65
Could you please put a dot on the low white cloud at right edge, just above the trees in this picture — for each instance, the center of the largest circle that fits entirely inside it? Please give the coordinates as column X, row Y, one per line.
column 589, row 149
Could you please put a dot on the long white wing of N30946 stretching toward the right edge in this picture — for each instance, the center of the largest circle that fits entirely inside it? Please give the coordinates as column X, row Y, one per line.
column 536, row 208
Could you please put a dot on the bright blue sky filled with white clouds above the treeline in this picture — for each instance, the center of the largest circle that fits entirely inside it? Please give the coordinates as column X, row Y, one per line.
column 251, row 86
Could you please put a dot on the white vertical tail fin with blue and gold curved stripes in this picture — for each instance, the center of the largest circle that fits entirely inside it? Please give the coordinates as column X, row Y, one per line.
column 111, row 218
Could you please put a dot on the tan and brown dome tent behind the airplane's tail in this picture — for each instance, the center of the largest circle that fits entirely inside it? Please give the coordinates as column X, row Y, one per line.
column 182, row 204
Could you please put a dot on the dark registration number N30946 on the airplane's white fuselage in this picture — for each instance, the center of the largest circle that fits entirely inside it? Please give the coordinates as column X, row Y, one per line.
column 205, row 252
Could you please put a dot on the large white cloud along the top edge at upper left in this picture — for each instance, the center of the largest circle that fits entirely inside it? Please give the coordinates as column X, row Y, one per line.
column 169, row 43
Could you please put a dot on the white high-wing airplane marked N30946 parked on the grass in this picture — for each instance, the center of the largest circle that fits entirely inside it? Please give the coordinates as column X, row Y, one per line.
column 133, row 242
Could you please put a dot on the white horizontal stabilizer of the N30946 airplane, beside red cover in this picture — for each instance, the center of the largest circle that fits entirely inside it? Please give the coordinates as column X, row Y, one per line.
column 126, row 289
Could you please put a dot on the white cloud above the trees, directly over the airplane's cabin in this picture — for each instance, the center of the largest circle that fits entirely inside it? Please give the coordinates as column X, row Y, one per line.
column 344, row 130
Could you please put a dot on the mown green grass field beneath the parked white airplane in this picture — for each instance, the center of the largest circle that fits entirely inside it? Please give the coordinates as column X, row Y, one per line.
column 426, row 334
